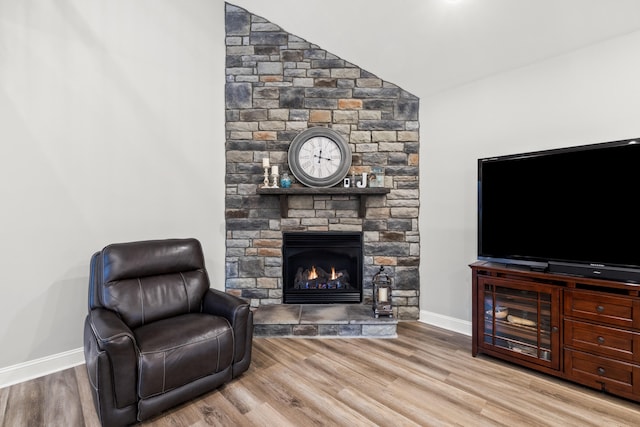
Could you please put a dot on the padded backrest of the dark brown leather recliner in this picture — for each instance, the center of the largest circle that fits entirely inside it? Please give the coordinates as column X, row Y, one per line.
column 150, row 280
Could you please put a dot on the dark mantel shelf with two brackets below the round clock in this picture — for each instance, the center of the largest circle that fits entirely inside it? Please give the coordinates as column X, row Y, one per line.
column 284, row 194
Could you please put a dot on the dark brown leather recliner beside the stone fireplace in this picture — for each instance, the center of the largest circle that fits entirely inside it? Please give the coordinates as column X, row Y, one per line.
column 156, row 334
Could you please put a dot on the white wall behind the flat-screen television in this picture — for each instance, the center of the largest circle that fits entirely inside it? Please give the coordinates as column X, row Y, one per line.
column 590, row 95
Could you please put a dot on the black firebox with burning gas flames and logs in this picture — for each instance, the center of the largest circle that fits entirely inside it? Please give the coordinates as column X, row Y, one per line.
column 322, row 267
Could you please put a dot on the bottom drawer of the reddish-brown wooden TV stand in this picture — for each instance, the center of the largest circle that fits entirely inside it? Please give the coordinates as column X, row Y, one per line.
column 603, row 373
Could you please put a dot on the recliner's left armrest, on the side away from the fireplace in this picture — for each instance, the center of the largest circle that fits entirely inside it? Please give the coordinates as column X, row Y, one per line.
column 118, row 342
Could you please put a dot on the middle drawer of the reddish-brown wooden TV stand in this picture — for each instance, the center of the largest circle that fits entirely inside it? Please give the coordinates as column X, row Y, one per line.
column 602, row 340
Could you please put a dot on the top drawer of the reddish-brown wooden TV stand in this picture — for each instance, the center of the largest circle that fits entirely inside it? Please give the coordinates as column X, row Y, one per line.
column 602, row 308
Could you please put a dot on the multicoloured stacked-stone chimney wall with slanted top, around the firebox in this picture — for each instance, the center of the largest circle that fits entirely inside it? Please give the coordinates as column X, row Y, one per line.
column 277, row 85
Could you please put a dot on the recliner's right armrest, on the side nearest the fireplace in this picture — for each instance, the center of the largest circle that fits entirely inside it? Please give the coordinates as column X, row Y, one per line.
column 238, row 312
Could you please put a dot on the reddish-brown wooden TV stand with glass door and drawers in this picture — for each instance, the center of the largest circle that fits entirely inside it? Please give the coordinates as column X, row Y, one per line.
column 584, row 330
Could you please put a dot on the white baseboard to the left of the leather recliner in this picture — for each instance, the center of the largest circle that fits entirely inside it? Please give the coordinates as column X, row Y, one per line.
column 36, row 368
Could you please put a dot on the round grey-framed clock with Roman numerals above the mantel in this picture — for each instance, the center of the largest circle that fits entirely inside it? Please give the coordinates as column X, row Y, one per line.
column 319, row 157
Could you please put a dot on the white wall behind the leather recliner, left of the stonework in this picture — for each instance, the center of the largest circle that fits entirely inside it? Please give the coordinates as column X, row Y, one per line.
column 111, row 129
